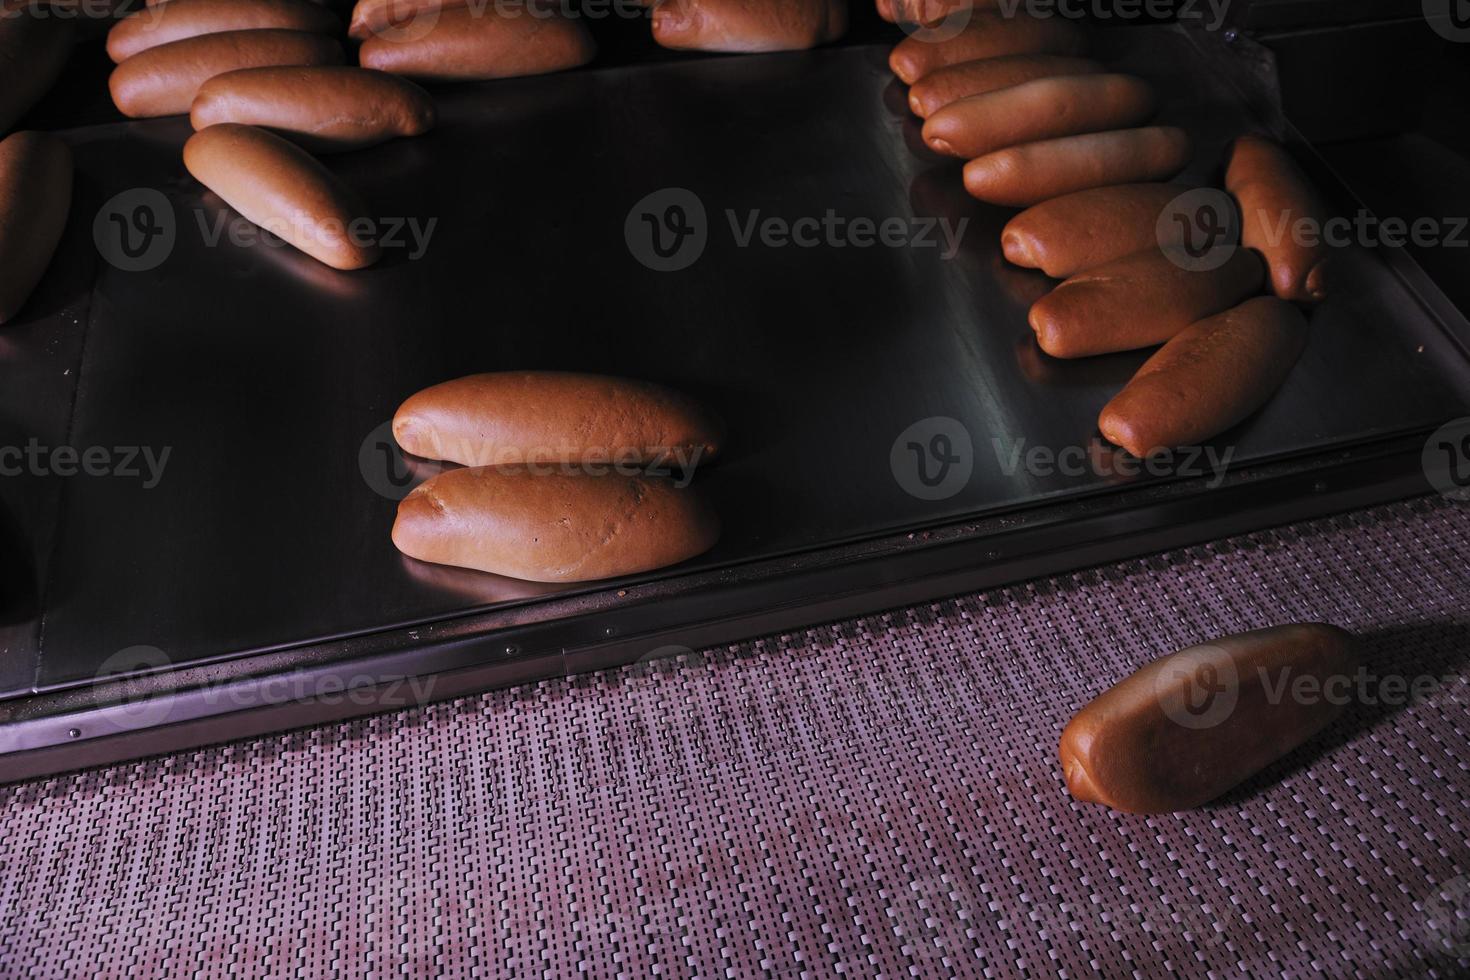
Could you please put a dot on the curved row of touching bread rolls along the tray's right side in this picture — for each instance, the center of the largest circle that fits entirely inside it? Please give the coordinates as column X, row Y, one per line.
column 1062, row 136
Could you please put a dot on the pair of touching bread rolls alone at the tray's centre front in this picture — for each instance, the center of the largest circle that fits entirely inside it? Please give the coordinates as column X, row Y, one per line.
column 568, row 477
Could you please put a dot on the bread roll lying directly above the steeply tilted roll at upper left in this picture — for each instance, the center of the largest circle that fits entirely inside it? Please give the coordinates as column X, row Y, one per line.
column 326, row 109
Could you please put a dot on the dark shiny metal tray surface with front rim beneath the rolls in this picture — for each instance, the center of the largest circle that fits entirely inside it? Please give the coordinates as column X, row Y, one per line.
column 257, row 580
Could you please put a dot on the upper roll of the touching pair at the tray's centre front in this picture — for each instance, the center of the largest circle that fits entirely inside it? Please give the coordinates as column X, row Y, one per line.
column 556, row 418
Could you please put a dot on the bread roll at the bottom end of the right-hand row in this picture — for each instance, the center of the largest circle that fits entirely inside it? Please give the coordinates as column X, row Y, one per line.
column 1209, row 378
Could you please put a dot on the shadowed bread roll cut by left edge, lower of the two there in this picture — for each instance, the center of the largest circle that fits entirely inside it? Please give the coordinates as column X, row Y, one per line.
column 36, row 196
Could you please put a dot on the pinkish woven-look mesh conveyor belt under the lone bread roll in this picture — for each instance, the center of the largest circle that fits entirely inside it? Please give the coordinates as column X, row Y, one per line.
column 877, row 799
